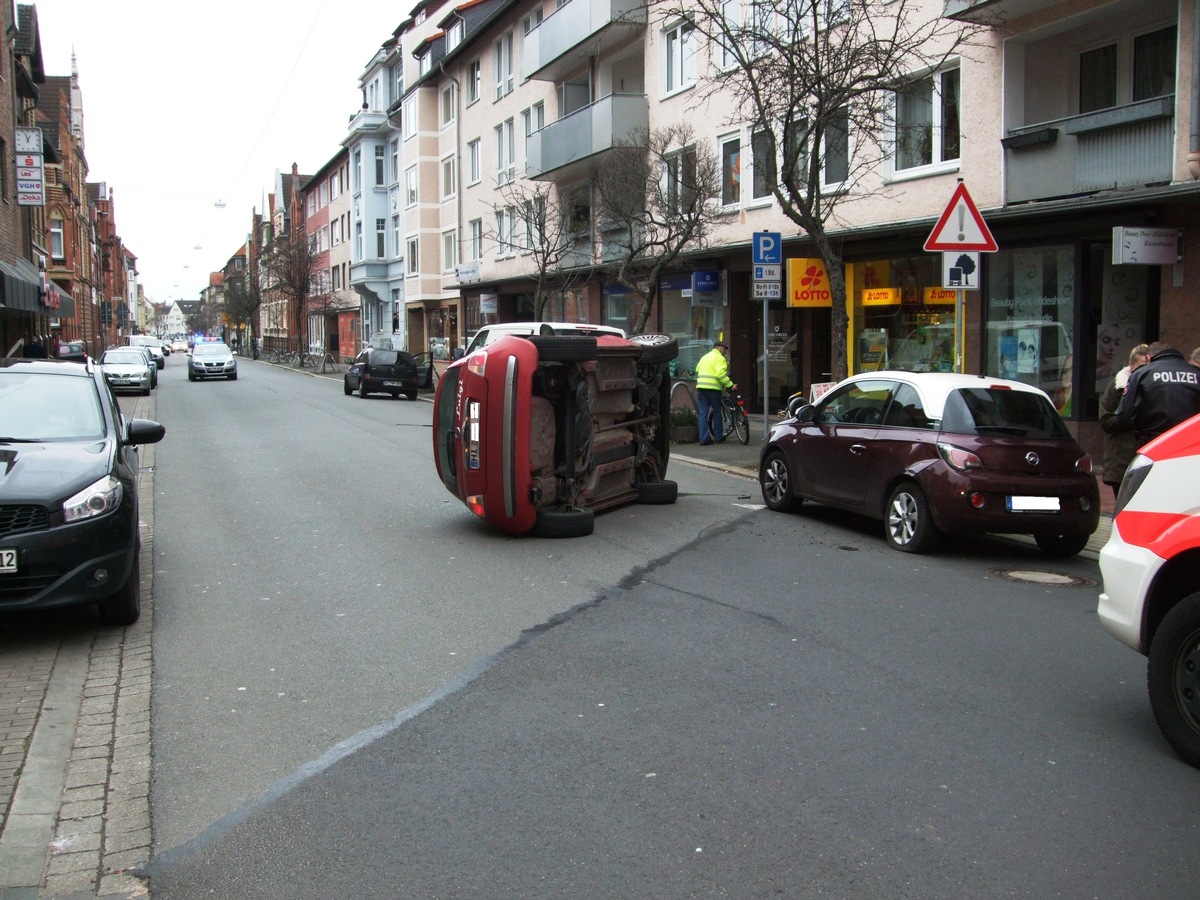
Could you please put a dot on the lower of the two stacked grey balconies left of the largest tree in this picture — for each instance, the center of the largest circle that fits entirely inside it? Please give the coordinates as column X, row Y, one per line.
column 563, row 148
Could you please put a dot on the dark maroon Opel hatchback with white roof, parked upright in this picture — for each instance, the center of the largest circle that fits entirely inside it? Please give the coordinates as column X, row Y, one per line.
column 937, row 453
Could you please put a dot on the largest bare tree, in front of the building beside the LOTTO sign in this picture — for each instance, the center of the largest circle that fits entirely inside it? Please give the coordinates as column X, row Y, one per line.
column 818, row 81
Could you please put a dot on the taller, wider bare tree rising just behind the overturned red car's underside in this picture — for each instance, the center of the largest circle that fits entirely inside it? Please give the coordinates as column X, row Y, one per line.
column 656, row 199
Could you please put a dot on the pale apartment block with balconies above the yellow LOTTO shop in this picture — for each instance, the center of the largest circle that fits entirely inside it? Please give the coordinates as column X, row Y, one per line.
column 1069, row 123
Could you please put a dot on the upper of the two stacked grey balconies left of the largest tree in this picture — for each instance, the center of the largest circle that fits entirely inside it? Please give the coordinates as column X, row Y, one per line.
column 577, row 31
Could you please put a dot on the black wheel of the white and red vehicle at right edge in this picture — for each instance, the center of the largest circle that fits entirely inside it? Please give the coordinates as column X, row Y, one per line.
column 1173, row 679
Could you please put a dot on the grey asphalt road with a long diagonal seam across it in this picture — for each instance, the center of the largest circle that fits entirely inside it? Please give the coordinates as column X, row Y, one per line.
column 706, row 700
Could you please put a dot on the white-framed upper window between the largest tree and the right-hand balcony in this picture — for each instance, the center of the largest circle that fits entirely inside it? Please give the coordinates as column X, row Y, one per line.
column 927, row 122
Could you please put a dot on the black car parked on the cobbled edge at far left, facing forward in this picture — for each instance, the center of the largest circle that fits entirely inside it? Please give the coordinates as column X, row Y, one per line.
column 69, row 491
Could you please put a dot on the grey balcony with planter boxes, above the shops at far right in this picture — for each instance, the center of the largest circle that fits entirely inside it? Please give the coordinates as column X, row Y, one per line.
column 1125, row 147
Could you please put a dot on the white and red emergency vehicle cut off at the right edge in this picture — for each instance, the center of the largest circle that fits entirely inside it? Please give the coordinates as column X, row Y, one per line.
column 1151, row 598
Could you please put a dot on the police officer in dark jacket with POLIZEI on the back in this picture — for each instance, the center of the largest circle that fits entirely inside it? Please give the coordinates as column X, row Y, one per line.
column 1161, row 395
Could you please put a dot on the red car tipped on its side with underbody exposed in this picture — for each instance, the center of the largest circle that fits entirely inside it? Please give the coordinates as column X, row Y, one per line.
column 537, row 434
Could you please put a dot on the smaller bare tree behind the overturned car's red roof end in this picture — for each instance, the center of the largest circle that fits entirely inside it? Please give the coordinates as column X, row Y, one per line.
column 542, row 220
